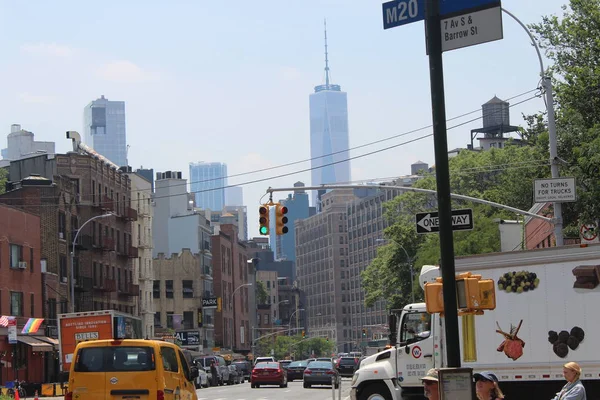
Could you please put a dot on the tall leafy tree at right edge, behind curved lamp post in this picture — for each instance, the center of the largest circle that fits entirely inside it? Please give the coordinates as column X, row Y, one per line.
column 571, row 42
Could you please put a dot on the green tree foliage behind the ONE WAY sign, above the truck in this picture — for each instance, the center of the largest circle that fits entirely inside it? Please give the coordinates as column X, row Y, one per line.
column 503, row 176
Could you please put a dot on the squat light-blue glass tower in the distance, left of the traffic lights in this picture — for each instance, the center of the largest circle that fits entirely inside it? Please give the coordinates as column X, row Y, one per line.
column 207, row 181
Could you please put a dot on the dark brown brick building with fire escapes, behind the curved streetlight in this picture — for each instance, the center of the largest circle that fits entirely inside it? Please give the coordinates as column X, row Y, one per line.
column 104, row 249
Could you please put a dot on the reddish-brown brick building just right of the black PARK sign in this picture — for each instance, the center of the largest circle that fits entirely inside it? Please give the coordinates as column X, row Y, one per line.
column 230, row 282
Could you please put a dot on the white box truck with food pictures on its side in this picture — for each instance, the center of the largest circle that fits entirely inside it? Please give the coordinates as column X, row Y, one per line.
column 552, row 294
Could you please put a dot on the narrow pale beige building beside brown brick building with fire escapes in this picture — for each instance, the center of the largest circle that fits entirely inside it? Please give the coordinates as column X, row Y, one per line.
column 141, row 236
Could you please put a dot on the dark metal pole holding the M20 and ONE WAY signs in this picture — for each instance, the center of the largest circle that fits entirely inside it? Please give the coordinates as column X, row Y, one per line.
column 440, row 141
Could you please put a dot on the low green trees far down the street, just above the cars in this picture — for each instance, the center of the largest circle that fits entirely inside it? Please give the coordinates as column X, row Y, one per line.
column 295, row 347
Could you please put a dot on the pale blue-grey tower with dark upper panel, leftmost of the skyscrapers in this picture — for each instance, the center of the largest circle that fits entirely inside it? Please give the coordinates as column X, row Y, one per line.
column 104, row 129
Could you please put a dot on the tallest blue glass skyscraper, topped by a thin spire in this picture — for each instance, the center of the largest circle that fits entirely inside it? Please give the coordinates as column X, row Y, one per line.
column 328, row 133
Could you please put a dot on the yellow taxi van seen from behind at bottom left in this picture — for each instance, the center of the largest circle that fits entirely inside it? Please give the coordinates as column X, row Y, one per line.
column 130, row 369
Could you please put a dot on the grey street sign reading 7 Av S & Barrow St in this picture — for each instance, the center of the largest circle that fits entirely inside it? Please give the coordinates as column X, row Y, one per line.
column 472, row 28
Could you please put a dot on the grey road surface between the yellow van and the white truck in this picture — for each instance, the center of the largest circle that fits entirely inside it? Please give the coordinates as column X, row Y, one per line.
column 242, row 391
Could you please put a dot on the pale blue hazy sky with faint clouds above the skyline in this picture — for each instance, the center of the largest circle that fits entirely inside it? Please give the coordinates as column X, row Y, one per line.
column 229, row 81
